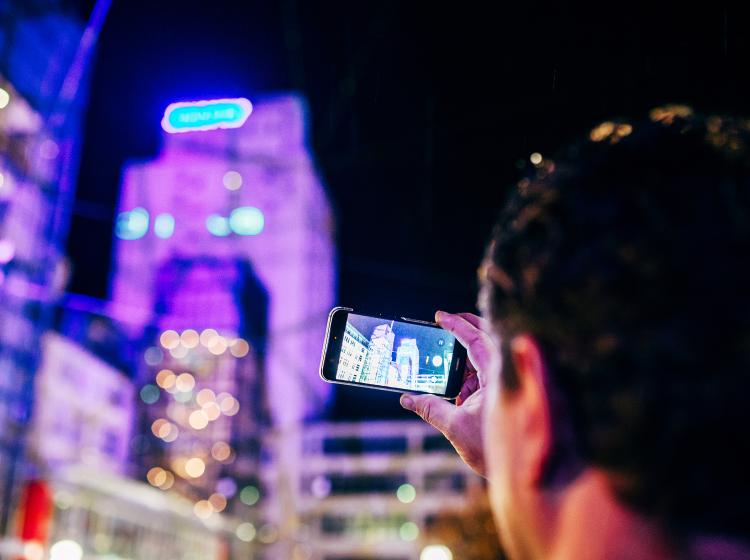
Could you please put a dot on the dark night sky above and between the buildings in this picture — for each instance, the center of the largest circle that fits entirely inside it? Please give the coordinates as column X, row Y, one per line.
column 422, row 113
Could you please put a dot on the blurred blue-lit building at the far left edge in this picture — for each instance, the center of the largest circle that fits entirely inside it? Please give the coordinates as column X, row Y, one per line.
column 42, row 71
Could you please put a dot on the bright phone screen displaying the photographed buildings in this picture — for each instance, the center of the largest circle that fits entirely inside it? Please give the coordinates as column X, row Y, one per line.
column 395, row 354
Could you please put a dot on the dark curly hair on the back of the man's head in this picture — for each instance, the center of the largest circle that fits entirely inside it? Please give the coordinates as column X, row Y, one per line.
column 627, row 257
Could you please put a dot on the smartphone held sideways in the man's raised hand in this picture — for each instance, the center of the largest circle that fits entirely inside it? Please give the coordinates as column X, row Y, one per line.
column 403, row 355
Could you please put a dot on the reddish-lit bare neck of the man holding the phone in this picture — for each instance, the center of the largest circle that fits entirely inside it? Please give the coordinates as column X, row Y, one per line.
column 592, row 525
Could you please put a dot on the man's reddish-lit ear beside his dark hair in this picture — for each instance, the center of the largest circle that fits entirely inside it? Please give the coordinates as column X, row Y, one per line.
column 531, row 400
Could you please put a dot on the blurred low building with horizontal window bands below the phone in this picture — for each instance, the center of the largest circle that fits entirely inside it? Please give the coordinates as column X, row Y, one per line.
column 371, row 490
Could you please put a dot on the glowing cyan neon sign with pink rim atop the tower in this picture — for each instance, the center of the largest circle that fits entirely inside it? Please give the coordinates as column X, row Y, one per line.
column 206, row 115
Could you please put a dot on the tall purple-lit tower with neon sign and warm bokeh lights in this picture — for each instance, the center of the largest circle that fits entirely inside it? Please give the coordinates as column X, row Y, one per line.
column 224, row 267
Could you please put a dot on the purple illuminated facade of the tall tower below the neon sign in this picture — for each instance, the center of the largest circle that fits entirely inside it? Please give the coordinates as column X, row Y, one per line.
column 197, row 184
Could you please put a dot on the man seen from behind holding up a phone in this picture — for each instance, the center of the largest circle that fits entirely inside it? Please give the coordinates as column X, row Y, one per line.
column 606, row 399
